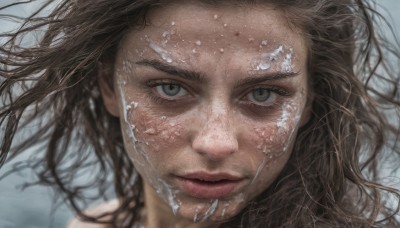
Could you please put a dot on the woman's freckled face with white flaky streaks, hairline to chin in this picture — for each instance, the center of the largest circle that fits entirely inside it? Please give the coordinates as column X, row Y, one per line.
column 210, row 101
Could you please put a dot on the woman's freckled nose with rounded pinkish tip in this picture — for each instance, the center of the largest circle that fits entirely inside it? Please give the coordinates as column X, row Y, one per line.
column 216, row 138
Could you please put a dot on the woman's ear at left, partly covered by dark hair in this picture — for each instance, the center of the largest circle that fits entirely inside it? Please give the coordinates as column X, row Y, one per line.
column 105, row 80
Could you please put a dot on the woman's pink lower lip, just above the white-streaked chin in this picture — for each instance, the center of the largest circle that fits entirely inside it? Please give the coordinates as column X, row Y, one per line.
column 209, row 190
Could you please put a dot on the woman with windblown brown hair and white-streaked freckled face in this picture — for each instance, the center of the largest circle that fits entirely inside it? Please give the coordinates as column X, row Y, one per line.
column 210, row 113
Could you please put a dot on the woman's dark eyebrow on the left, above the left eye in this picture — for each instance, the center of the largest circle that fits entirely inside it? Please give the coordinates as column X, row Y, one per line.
column 185, row 74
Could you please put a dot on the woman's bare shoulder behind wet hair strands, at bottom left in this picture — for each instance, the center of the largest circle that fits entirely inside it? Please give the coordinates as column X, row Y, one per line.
column 102, row 208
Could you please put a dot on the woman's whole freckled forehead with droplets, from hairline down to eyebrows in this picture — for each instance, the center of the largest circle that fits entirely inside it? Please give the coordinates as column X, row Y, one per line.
column 234, row 36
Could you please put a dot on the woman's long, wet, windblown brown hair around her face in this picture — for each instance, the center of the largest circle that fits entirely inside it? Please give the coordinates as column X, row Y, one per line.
column 332, row 178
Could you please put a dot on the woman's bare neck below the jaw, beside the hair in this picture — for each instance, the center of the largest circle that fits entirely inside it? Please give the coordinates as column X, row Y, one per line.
column 159, row 214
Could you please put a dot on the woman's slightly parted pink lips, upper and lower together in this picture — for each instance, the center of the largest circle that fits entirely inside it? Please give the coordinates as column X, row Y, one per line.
column 209, row 186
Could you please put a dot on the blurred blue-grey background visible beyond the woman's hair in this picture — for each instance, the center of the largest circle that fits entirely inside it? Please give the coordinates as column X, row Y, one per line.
column 34, row 207
